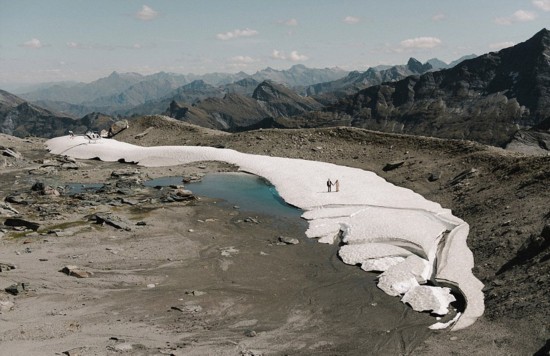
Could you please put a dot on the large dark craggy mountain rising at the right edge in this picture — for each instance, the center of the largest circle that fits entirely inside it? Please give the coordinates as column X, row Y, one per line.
column 486, row 99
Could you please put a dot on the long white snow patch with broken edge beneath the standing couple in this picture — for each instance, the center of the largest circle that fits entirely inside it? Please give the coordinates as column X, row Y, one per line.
column 375, row 219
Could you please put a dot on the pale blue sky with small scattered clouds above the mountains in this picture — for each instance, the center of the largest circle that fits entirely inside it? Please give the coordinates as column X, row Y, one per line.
column 84, row 40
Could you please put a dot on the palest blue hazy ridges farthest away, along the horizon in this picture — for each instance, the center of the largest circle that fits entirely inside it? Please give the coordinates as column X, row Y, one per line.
column 126, row 94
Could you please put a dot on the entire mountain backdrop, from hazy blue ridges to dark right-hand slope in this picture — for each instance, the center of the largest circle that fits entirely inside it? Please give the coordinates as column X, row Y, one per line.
column 494, row 99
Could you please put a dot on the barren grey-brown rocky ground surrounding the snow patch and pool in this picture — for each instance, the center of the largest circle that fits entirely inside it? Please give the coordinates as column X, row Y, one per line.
column 149, row 255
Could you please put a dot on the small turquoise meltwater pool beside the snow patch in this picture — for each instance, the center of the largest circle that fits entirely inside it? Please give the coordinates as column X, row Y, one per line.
column 249, row 192
